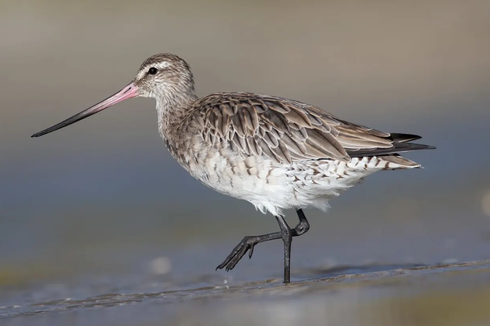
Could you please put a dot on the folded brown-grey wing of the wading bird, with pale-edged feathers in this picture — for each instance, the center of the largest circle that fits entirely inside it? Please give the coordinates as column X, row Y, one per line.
column 287, row 130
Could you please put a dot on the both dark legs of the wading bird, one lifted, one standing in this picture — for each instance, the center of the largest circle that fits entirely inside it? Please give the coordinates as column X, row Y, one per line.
column 248, row 243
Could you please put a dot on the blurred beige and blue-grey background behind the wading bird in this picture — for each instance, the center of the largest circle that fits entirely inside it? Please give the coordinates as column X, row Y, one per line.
column 101, row 206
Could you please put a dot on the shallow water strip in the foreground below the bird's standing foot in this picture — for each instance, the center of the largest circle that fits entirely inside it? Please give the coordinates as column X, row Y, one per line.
column 444, row 294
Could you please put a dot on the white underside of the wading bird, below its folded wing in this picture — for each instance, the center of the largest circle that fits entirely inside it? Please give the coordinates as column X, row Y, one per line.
column 273, row 187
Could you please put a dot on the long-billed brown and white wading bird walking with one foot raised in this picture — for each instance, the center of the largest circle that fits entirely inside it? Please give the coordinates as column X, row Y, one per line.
column 273, row 152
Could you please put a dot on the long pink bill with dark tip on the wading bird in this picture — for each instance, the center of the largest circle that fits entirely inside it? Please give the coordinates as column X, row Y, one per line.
column 127, row 92
